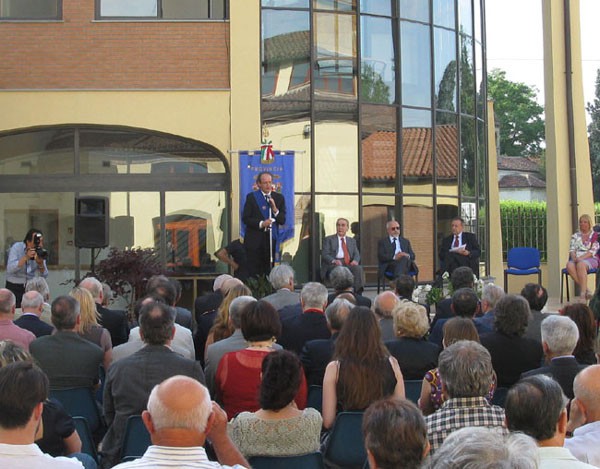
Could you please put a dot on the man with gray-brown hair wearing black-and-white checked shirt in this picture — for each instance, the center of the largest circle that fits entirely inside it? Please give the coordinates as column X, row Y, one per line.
column 466, row 374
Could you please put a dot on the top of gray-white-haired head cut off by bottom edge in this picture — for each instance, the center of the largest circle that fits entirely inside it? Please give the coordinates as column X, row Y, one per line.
column 485, row 448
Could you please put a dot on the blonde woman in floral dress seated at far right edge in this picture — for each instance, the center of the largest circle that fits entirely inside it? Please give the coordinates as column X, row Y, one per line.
column 582, row 255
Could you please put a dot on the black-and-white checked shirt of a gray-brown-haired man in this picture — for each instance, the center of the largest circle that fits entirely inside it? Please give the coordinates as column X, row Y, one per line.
column 462, row 412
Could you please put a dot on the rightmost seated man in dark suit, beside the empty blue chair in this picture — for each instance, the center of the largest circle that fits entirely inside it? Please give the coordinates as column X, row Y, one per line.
column 459, row 249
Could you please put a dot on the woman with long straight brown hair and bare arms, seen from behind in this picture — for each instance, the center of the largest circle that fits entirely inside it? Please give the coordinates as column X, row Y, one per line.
column 362, row 370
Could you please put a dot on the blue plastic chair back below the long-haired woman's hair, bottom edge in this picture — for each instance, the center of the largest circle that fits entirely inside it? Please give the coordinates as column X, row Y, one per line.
column 346, row 446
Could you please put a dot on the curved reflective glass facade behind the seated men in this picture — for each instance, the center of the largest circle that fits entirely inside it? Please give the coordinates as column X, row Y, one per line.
column 384, row 103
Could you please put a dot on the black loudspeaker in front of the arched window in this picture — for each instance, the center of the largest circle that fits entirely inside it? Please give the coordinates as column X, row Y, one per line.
column 91, row 222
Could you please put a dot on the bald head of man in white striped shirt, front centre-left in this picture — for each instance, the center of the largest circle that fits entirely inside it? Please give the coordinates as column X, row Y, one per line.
column 178, row 412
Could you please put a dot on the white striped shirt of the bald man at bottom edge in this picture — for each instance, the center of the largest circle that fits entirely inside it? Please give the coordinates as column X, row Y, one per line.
column 157, row 457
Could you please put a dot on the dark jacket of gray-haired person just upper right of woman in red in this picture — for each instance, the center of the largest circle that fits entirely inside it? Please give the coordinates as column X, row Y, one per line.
column 297, row 330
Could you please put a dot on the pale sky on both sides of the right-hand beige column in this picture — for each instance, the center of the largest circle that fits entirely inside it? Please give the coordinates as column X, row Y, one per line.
column 515, row 43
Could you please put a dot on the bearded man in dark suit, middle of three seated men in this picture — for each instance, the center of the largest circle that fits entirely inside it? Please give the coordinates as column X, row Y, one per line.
column 394, row 253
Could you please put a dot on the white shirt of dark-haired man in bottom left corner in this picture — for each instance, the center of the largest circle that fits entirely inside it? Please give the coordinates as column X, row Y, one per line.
column 31, row 457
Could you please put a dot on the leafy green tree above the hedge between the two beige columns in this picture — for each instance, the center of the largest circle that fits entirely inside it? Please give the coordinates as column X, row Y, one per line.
column 518, row 114
